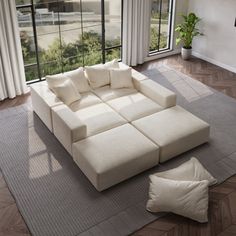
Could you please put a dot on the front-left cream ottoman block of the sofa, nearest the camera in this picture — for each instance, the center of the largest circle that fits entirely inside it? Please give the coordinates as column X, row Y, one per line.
column 115, row 155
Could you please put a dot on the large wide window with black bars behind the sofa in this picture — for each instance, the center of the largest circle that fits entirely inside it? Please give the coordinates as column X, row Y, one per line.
column 61, row 35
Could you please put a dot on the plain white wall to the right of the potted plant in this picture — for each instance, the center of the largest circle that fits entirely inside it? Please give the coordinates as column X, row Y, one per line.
column 218, row 45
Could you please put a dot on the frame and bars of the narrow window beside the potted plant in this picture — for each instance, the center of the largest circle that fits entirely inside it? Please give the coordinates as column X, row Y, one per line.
column 161, row 50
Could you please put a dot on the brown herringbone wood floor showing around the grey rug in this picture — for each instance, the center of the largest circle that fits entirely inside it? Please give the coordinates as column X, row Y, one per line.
column 222, row 207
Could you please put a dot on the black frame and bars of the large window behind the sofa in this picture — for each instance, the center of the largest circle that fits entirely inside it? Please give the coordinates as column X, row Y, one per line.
column 104, row 49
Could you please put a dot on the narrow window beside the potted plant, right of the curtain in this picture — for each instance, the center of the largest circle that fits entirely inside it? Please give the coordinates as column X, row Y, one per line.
column 160, row 26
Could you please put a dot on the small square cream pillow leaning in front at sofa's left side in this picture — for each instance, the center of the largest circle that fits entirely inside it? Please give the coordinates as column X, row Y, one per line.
column 67, row 92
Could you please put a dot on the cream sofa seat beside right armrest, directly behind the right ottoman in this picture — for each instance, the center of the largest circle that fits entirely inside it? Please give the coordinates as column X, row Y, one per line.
column 134, row 106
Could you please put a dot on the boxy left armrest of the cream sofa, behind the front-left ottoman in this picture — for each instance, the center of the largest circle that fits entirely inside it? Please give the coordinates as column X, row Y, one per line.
column 67, row 127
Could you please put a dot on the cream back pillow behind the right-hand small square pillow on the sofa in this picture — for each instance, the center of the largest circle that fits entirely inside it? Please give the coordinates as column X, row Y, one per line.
column 99, row 75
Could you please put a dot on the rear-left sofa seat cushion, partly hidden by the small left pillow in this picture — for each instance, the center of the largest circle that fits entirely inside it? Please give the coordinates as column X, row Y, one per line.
column 87, row 99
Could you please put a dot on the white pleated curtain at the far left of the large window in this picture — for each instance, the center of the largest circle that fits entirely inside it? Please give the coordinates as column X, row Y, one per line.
column 12, row 75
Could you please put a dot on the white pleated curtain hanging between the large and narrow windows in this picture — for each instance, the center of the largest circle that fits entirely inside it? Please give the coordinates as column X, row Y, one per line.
column 136, row 27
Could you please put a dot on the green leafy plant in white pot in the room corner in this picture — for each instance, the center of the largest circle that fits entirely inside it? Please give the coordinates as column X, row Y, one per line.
column 187, row 31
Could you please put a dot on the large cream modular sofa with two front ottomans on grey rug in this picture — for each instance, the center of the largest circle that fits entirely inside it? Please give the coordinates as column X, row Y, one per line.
column 115, row 133
